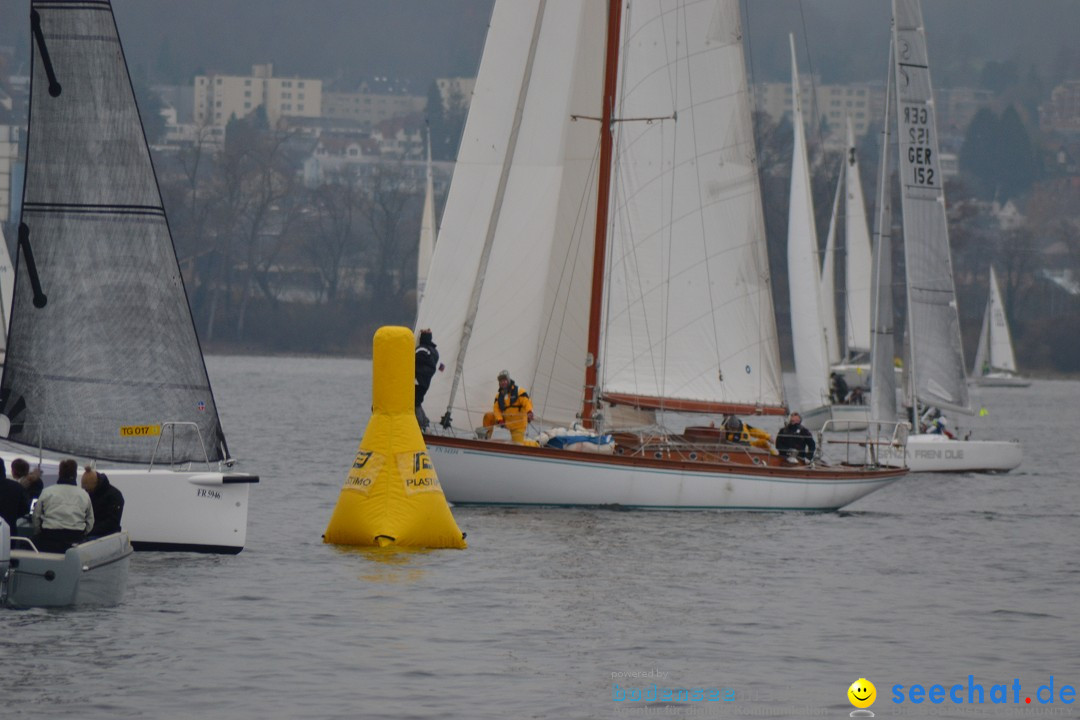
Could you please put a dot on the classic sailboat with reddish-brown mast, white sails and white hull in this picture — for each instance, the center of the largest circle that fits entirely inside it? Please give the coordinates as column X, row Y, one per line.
column 583, row 113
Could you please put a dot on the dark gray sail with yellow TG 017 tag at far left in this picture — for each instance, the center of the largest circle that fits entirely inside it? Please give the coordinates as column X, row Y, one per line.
column 102, row 347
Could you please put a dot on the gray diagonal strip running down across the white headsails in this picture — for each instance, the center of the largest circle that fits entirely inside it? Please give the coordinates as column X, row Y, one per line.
column 496, row 211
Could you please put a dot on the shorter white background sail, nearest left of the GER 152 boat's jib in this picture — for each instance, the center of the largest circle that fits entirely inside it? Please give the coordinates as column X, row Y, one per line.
column 858, row 271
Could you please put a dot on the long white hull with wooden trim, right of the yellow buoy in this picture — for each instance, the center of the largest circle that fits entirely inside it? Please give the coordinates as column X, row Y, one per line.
column 485, row 473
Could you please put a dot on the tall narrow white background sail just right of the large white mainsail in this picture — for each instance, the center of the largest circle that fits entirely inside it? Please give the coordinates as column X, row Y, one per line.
column 808, row 336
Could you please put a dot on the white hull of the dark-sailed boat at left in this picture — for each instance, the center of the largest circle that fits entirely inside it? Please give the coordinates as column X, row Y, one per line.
column 165, row 510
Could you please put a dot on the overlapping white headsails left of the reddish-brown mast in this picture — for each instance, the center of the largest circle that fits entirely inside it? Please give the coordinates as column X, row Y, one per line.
column 511, row 274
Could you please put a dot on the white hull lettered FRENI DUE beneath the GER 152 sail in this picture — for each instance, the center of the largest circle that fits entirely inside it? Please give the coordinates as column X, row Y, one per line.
column 938, row 454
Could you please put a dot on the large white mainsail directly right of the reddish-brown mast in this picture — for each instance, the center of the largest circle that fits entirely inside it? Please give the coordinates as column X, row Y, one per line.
column 690, row 308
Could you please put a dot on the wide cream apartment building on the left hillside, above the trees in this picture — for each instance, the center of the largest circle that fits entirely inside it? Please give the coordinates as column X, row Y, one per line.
column 219, row 98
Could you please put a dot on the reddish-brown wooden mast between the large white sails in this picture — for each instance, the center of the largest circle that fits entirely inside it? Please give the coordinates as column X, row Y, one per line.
column 603, row 198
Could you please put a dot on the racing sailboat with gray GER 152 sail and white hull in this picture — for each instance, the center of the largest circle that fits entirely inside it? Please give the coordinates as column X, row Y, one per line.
column 937, row 369
